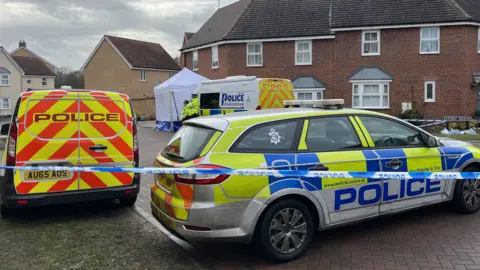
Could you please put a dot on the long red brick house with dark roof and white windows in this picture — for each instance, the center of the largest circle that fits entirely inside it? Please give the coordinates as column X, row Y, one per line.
column 379, row 54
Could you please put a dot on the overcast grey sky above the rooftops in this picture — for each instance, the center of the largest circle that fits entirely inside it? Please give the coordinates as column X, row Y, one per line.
column 65, row 32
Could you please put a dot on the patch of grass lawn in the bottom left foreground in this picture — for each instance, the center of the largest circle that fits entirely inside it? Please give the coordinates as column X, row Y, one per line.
column 91, row 236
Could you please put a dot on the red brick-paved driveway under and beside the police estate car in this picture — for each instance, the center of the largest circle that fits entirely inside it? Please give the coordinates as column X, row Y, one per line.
column 428, row 238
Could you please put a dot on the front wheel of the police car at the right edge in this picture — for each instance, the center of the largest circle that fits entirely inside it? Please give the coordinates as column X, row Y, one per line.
column 467, row 194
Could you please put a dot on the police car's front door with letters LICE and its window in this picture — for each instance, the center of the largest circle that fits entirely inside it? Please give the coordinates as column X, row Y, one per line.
column 403, row 149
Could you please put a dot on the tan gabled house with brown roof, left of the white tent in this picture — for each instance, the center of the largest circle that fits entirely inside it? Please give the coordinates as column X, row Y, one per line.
column 131, row 67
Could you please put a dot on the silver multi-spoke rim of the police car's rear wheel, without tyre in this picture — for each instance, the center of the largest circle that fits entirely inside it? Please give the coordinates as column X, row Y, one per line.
column 288, row 230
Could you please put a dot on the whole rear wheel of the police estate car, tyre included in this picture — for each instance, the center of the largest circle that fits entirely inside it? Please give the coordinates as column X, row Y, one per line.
column 286, row 230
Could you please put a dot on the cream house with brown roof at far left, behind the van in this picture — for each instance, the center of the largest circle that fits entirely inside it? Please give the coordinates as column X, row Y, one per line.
column 20, row 71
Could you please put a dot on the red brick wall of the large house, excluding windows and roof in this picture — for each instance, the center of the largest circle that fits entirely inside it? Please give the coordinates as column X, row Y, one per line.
column 335, row 60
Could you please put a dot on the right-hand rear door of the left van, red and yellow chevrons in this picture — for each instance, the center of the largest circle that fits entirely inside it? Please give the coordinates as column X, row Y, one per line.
column 106, row 138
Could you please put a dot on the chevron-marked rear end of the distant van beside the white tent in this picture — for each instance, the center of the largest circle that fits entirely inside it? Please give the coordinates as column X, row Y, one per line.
column 273, row 92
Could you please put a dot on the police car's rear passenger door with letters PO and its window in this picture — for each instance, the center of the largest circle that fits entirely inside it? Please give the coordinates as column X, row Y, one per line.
column 333, row 144
